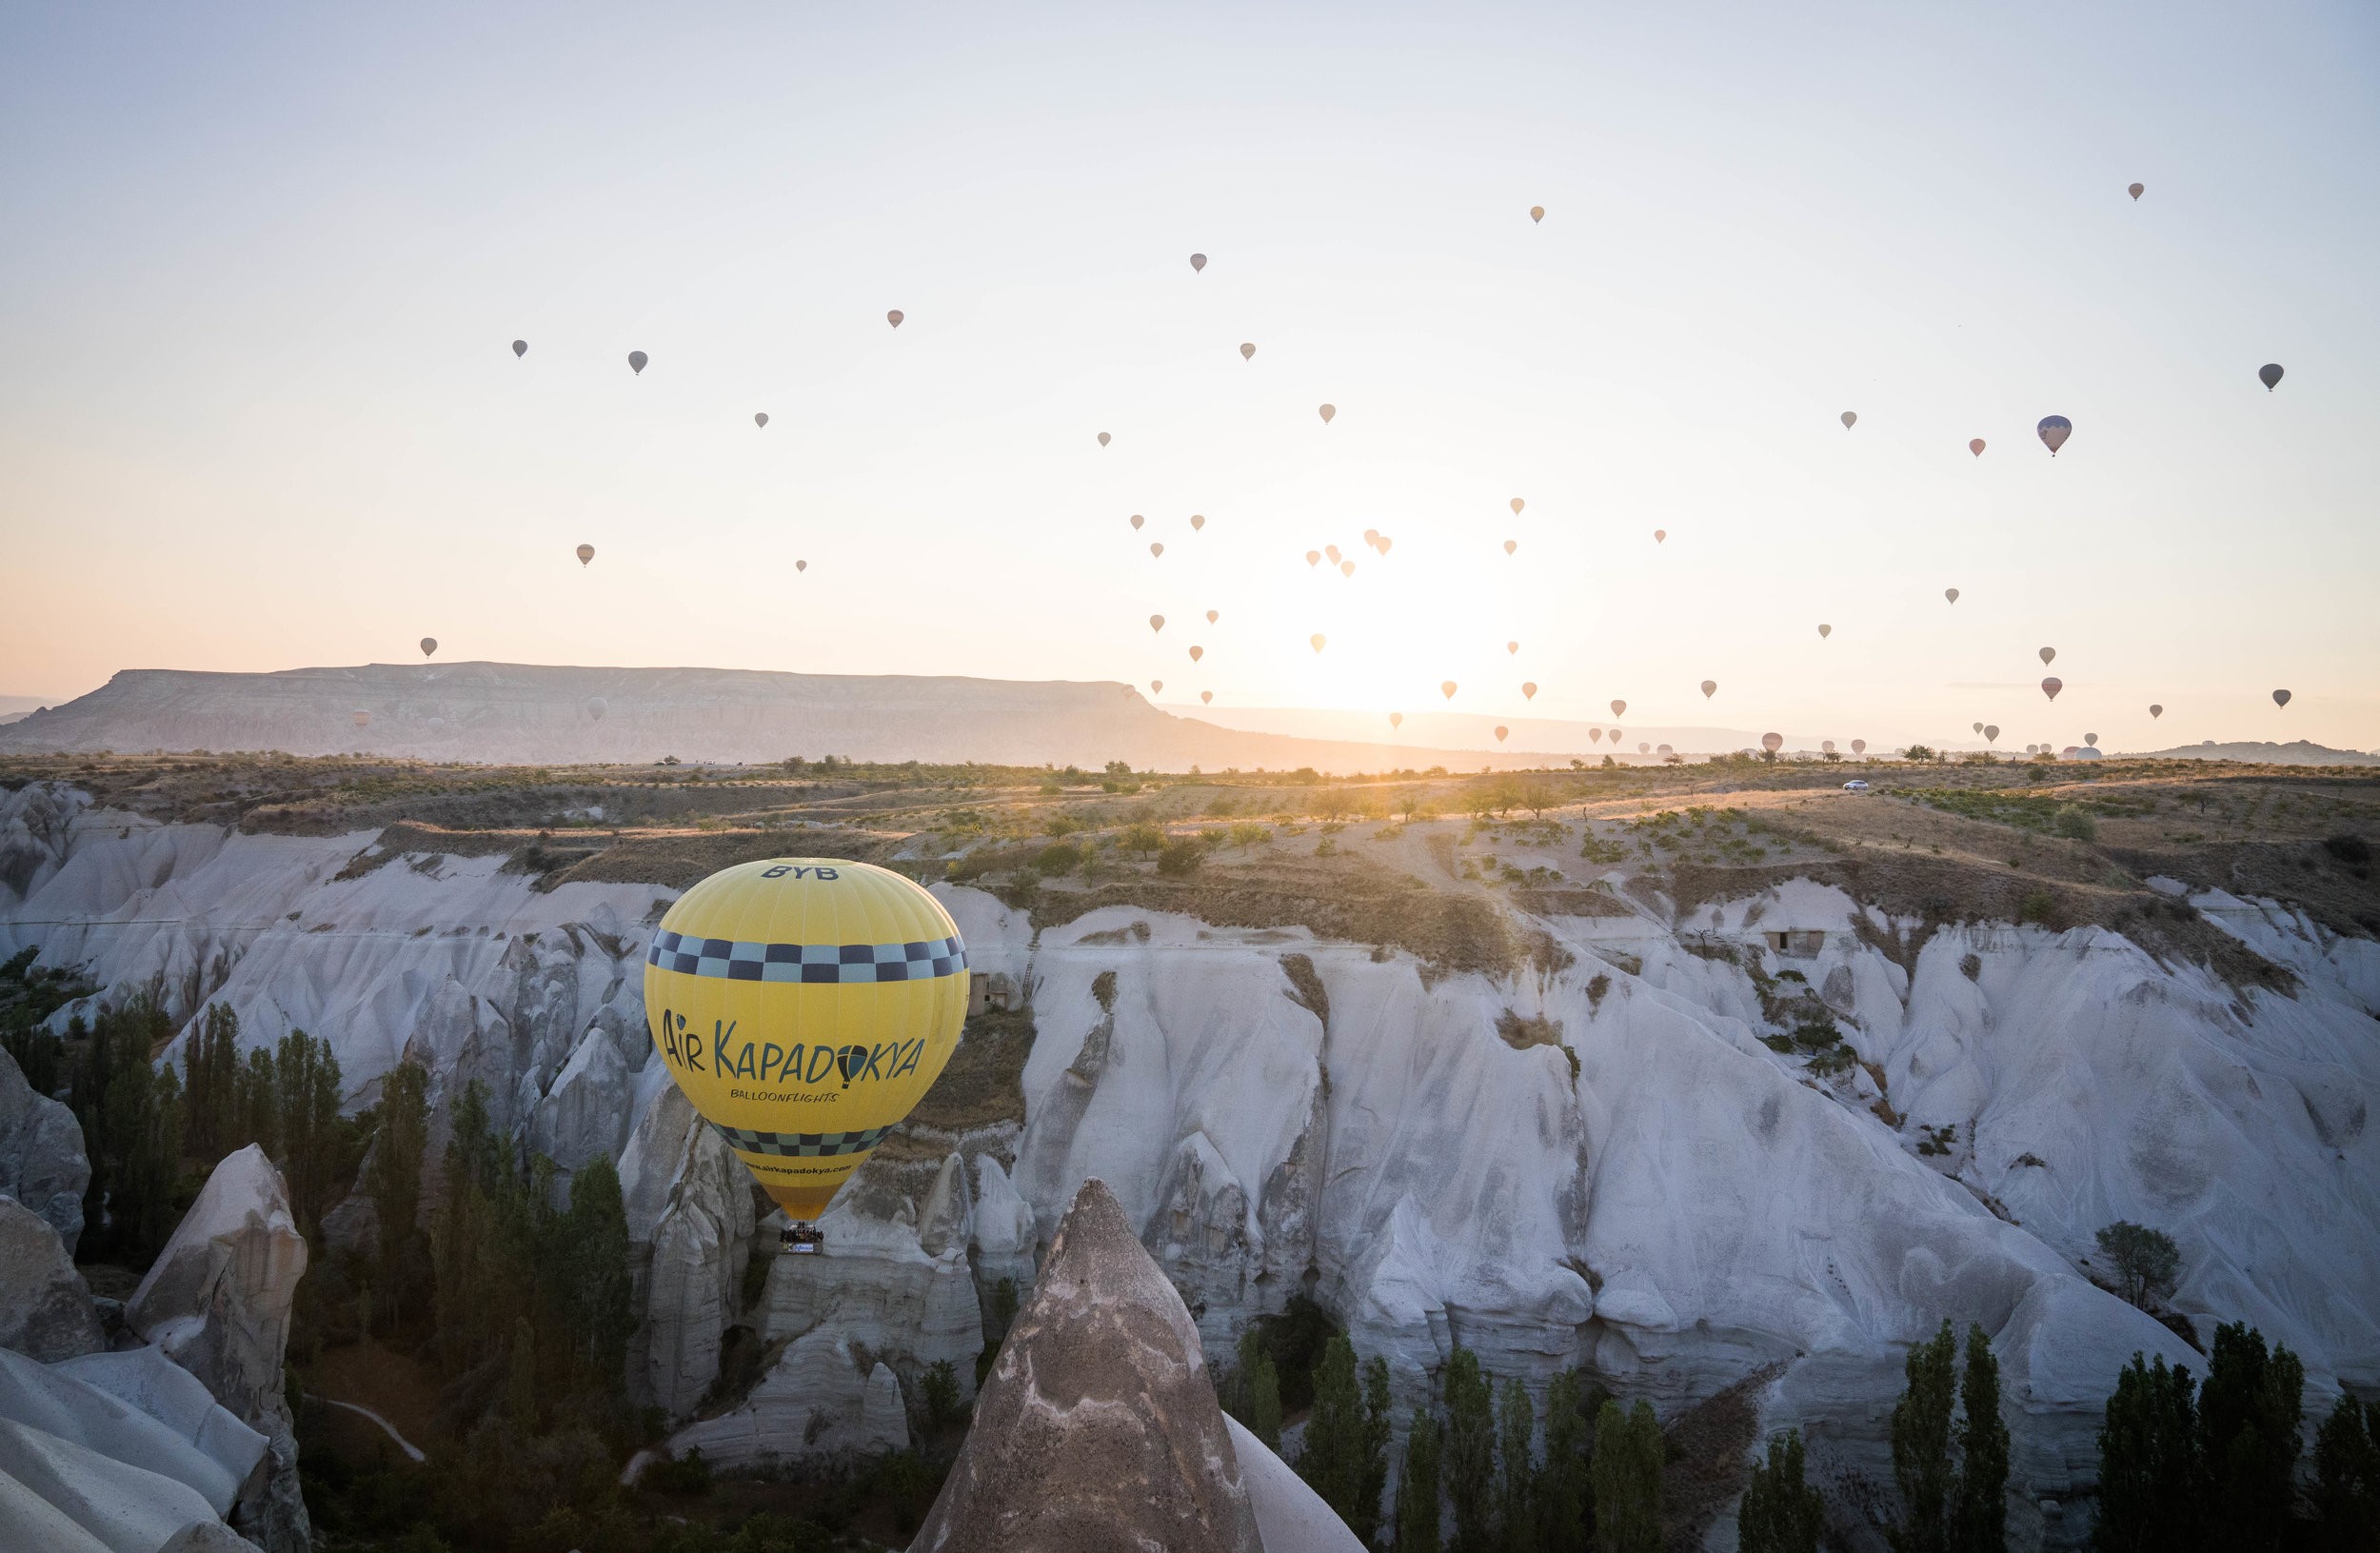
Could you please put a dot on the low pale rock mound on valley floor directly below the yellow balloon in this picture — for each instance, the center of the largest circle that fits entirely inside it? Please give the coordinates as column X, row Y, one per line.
column 815, row 1402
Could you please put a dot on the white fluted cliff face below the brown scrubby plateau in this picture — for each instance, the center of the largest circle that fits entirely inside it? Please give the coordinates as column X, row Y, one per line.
column 1593, row 1159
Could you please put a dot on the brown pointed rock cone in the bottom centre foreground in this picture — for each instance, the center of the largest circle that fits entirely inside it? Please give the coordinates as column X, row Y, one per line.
column 1098, row 1426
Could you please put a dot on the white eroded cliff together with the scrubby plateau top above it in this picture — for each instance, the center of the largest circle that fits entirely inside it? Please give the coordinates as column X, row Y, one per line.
column 1703, row 1092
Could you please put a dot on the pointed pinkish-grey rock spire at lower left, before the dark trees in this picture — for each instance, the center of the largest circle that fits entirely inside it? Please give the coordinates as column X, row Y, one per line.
column 218, row 1302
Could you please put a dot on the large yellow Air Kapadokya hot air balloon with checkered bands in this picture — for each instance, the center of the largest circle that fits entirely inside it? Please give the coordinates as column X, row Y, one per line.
column 806, row 1006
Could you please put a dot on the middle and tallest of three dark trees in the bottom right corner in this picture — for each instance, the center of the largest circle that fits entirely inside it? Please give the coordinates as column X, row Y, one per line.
column 2250, row 1416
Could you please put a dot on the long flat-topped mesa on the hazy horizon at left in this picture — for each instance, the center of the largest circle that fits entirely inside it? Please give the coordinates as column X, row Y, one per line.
column 584, row 716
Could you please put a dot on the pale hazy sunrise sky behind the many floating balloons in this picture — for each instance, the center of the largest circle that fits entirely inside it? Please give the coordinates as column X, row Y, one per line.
column 263, row 270
